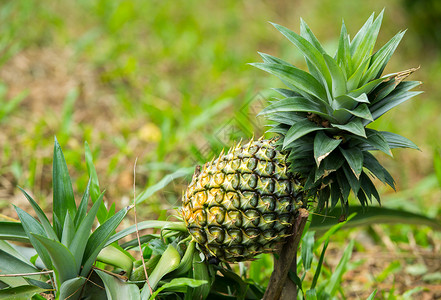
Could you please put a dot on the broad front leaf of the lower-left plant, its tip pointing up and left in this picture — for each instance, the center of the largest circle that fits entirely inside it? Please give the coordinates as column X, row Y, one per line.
column 62, row 260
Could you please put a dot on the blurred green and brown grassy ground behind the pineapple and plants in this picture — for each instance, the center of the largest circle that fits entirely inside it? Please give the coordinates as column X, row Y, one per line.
column 167, row 83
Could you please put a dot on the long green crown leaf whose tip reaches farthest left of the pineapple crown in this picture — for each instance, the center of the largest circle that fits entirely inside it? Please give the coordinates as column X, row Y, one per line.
column 299, row 79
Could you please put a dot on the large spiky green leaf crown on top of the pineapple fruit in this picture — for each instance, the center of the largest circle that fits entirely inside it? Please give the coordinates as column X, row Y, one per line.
column 322, row 116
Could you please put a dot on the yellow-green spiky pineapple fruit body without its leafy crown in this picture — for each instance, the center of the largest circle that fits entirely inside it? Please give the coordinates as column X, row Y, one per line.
column 243, row 203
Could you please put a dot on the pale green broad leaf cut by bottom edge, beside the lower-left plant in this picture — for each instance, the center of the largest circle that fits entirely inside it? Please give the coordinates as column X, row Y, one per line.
column 117, row 289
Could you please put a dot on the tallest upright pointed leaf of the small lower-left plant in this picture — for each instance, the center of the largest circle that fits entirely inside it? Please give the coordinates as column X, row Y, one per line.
column 63, row 198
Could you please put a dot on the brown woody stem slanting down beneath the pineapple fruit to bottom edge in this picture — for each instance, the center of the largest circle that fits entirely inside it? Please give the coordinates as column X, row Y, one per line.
column 280, row 287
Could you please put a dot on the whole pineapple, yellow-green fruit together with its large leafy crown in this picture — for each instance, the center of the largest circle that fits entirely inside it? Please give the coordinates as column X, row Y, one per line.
column 243, row 203
